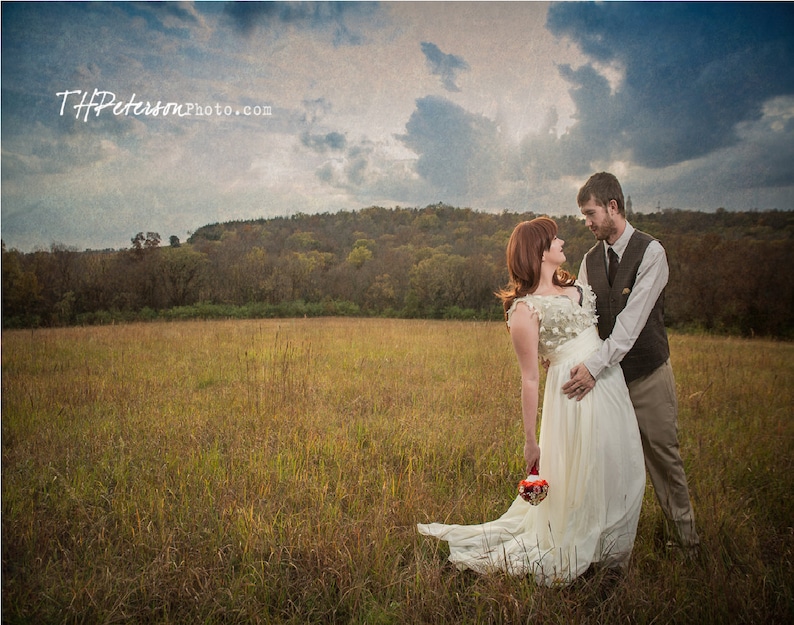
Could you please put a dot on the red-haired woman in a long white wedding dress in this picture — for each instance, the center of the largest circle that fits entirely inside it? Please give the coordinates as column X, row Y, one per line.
column 592, row 455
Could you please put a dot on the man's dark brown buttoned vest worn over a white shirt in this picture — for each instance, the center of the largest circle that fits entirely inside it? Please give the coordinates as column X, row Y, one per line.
column 651, row 349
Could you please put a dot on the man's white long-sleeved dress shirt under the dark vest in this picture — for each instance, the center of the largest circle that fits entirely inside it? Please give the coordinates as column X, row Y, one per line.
column 652, row 276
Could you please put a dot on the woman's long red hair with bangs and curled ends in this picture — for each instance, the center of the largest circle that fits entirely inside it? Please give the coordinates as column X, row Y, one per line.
column 530, row 239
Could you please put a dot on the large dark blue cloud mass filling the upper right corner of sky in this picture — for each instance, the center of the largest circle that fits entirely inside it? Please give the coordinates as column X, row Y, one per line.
column 692, row 72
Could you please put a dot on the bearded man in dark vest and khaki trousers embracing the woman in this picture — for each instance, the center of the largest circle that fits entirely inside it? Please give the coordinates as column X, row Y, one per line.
column 627, row 270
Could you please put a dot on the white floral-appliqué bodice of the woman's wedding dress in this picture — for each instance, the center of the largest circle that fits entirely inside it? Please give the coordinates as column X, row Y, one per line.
column 561, row 319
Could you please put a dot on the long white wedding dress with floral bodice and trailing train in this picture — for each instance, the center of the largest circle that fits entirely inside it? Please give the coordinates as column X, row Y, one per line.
column 591, row 456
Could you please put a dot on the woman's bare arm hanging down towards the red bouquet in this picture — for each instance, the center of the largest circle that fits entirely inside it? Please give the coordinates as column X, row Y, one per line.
column 524, row 330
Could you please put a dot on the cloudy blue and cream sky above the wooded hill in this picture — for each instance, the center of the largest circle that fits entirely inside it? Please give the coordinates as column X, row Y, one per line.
column 273, row 109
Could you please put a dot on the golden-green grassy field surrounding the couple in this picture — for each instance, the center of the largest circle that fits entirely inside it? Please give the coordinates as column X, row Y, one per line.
column 274, row 471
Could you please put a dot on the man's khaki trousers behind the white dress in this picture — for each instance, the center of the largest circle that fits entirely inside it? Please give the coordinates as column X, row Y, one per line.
column 656, row 406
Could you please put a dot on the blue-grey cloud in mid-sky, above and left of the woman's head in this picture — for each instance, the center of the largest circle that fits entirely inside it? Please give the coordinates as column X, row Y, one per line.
column 459, row 152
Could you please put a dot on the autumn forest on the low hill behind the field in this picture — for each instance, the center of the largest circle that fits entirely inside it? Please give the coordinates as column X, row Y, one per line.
column 730, row 272
